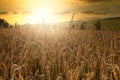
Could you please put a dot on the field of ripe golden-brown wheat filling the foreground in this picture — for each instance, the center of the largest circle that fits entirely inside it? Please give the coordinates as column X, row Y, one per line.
column 57, row 54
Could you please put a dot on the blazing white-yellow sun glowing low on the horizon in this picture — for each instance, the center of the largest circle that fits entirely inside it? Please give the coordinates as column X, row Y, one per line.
column 44, row 14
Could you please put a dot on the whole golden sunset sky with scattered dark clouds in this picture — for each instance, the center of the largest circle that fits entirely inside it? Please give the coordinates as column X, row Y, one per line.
column 33, row 11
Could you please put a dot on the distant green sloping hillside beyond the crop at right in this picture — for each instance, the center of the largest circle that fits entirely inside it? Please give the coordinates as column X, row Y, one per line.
column 106, row 24
